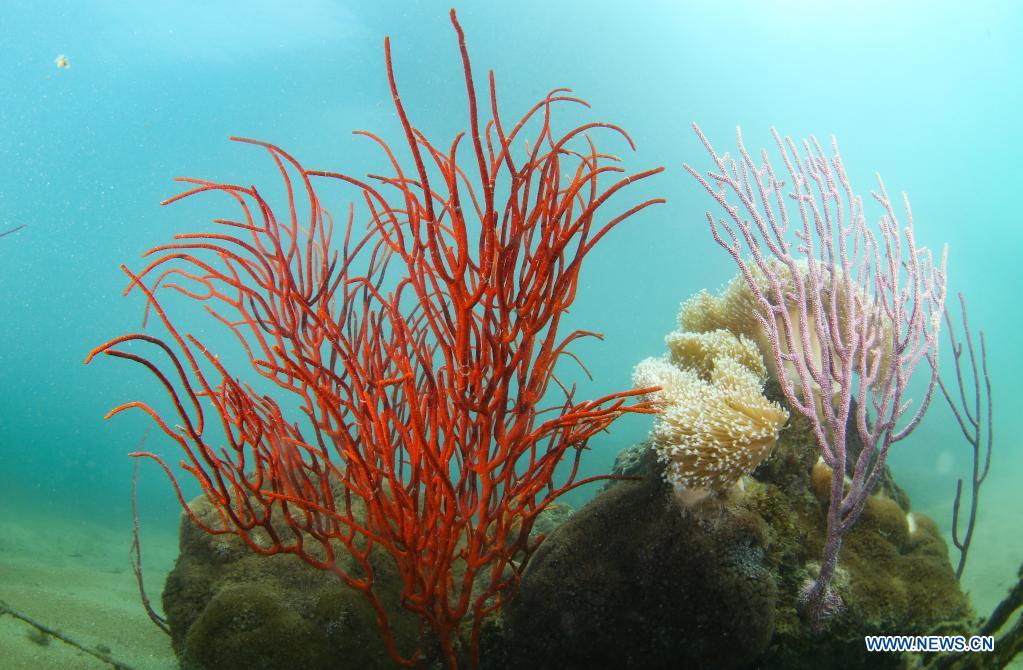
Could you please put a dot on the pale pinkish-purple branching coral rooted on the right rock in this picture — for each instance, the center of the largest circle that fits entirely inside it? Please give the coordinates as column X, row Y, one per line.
column 844, row 318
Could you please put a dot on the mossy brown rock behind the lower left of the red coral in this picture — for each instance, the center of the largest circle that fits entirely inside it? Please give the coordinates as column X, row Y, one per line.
column 231, row 608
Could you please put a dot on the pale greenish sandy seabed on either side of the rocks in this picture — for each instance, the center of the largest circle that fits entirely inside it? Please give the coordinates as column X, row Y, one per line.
column 75, row 577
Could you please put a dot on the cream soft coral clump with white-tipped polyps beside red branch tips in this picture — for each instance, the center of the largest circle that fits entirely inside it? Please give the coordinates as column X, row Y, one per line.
column 716, row 424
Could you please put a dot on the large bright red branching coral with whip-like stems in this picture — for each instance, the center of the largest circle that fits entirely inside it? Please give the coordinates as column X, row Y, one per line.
column 422, row 352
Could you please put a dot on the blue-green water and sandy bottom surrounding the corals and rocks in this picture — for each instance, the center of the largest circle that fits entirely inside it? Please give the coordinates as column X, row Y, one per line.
column 926, row 94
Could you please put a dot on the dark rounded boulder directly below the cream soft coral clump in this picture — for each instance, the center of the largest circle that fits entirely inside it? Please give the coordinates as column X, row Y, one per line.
column 630, row 583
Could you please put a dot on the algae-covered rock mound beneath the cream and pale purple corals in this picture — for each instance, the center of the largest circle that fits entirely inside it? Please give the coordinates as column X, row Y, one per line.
column 631, row 583
